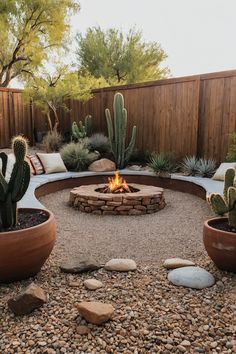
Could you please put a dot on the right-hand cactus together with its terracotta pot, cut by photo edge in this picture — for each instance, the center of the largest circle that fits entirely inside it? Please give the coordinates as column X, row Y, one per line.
column 219, row 234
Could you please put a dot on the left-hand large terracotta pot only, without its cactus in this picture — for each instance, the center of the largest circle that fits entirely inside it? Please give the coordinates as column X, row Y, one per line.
column 23, row 252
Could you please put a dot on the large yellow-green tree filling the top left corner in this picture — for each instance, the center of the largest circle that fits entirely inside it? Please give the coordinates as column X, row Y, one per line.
column 29, row 30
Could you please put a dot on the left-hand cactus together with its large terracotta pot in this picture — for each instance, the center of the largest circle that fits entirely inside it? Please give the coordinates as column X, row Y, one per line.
column 27, row 236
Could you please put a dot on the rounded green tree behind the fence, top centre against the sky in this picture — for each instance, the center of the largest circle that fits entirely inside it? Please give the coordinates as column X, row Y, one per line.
column 118, row 58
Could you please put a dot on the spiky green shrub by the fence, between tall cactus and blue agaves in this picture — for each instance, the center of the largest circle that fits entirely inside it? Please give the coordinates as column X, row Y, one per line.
column 163, row 162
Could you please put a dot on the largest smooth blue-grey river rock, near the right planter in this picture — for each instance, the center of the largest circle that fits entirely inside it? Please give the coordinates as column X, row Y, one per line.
column 191, row 277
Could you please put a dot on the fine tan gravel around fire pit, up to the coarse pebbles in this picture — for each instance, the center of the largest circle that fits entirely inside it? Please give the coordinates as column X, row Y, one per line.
column 174, row 231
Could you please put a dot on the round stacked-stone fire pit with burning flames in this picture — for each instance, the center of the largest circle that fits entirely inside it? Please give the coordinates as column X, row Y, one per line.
column 117, row 197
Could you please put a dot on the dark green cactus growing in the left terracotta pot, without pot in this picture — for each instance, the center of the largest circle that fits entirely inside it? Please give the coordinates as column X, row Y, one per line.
column 11, row 192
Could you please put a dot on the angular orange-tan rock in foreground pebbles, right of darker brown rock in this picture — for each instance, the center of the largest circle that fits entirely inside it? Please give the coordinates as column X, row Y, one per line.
column 95, row 312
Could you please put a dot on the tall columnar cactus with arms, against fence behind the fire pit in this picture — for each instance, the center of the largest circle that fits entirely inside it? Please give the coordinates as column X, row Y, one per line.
column 117, row 132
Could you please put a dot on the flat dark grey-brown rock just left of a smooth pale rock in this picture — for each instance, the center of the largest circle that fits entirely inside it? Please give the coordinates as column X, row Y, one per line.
column 79, row 265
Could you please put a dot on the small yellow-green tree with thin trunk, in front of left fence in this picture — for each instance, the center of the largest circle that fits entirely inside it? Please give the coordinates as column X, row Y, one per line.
column 49, row 92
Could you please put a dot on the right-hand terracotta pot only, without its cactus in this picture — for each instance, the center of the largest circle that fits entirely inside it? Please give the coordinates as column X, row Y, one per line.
column 220, row 245
